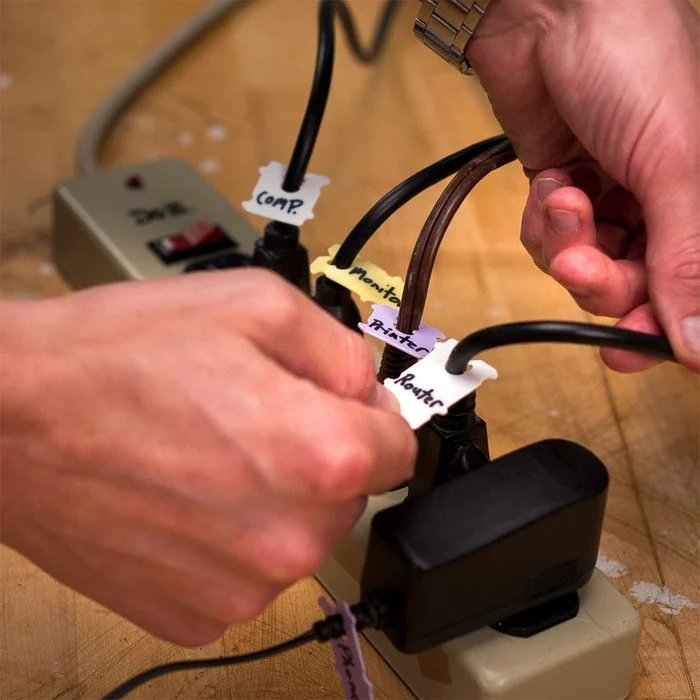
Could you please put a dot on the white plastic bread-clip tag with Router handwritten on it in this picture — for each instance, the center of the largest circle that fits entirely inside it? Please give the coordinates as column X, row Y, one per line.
column 426, row 389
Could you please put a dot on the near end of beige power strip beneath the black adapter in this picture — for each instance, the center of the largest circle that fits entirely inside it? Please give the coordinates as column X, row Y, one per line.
column 590, row 657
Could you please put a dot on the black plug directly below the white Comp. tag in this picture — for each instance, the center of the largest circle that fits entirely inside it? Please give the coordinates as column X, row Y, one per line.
column 279, row 250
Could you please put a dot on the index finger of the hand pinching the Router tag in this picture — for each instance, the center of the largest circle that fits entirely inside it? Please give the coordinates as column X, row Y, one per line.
column 307, row 341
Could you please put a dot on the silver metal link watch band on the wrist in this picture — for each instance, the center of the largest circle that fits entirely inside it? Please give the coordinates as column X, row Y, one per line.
column 446, row 26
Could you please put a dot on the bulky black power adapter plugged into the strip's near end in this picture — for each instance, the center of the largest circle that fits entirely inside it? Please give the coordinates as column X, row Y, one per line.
column 504, row 545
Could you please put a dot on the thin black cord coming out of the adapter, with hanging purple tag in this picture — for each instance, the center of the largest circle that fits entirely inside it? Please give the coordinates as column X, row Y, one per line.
column 369, row 613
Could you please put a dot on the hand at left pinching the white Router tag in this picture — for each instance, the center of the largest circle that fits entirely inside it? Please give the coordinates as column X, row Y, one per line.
column 183, row 450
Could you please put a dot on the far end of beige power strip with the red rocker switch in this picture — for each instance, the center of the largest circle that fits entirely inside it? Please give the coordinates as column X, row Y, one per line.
column 145, row 221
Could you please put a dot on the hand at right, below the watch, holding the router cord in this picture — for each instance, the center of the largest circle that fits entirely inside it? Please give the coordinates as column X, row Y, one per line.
column 601, row 100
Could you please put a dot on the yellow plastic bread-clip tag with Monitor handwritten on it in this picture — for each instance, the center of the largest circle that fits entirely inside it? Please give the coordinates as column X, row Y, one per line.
column 364, row 278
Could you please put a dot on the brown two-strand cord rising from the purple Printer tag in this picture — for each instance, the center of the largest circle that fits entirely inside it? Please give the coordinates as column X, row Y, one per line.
column 425, row 251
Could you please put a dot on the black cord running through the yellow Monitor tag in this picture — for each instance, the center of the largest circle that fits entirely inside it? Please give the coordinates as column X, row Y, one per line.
column 401, row 194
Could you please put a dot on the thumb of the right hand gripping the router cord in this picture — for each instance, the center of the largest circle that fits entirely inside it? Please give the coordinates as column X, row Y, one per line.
column 673, row 262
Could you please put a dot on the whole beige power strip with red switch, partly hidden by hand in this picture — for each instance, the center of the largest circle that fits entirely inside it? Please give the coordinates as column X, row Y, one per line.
column 159, row 219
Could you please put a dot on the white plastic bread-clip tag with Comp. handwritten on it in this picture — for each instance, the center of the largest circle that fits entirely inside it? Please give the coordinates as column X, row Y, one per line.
column 272, row 202
